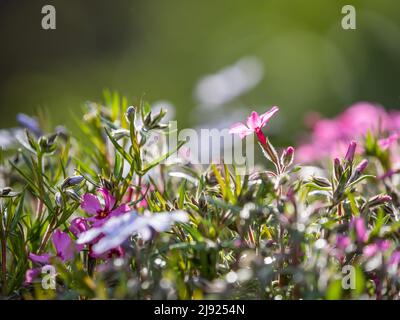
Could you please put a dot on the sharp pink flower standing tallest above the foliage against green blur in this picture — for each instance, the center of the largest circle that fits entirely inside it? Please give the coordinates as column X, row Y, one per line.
column 253, row 125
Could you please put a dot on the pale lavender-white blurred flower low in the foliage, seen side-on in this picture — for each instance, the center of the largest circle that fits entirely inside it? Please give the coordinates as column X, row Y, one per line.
column 117, row 229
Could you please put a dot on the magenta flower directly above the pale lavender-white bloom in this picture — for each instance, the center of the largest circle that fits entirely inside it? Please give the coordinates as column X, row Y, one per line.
column 102, row 212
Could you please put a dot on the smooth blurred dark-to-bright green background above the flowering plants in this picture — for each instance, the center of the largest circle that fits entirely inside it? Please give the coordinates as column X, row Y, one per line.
column 161, row 49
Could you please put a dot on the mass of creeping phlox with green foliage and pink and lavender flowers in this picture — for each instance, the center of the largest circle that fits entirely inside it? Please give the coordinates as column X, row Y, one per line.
column 103, row 211
